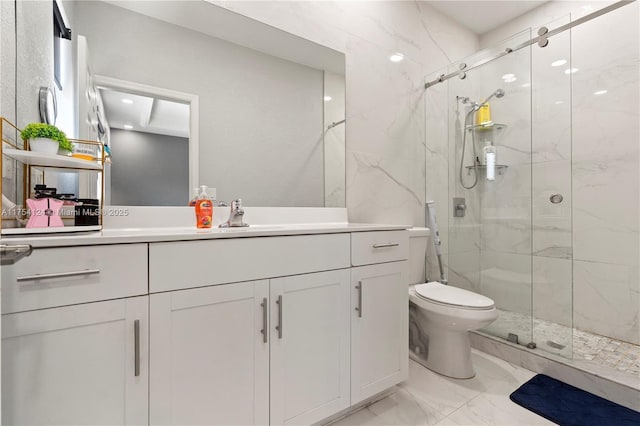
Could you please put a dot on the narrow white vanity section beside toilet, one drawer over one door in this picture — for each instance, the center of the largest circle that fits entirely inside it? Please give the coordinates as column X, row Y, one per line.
column 379, row 313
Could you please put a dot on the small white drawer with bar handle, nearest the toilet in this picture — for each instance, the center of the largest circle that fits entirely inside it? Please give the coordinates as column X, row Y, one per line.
column 378, row 247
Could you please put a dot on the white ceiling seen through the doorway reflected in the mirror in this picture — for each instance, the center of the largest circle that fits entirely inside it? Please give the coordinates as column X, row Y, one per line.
column 145, row 114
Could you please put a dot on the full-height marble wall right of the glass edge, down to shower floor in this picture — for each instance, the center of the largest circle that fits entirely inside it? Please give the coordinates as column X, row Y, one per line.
column 606, row 177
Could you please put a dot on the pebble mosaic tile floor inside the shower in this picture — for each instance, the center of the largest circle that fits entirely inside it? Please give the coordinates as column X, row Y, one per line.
column 621, row 358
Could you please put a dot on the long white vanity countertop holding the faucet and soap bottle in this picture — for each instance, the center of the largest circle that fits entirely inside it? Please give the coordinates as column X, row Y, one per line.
column 149, row 235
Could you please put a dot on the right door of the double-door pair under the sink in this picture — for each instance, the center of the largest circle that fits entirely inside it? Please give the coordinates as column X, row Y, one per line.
column 309, row 347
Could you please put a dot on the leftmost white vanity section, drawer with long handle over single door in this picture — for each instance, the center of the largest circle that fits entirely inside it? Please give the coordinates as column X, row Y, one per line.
column 70, row 355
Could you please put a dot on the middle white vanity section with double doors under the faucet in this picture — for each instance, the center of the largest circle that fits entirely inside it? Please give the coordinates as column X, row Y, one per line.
column 211, row 361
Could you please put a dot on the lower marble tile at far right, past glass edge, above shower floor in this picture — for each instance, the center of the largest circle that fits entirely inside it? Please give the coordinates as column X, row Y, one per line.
column 606, row 299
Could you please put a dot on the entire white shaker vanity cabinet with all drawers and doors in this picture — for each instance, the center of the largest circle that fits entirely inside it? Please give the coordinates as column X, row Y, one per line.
column 265, row 330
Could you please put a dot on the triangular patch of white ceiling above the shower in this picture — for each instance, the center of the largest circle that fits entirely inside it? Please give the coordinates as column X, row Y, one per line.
column 482, row 16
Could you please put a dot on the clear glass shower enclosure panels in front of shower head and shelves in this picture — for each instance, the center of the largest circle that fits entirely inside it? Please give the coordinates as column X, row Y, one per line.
column 500, row 172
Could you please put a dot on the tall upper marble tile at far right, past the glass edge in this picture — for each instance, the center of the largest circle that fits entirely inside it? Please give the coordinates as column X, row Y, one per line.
column 606, row 133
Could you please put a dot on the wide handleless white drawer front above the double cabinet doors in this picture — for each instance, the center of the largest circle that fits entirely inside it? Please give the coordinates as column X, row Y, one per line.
column 187, row 264
